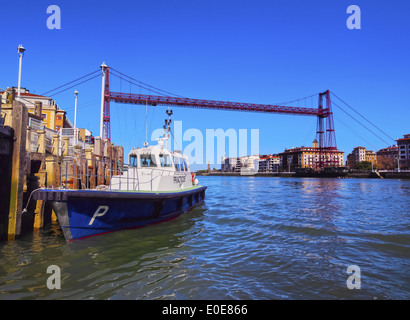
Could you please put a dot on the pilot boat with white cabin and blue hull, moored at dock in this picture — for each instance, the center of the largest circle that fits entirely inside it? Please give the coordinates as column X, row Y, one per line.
column 157, row 185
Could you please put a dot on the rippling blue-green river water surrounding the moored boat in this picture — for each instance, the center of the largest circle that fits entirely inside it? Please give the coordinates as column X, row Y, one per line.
column 254, row 238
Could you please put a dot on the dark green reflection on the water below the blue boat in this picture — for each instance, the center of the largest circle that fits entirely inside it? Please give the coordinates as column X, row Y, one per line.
column 92, row 265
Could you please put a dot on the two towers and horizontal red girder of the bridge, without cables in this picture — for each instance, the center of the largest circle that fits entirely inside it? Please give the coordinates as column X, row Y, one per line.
column 325, row 133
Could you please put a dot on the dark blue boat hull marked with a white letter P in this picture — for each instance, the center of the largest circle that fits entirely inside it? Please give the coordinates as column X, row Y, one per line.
column 83, row 214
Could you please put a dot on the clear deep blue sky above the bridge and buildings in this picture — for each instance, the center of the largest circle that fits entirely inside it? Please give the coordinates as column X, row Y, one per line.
column 246, row 51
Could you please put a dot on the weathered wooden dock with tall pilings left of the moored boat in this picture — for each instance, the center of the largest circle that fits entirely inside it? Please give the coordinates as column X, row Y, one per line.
column 33, row 156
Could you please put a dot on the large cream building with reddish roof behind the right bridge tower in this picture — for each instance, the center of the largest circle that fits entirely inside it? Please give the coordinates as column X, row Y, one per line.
column 310, row 157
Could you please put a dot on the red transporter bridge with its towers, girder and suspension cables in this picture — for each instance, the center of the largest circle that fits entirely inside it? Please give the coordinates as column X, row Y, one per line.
column 325, row 133
